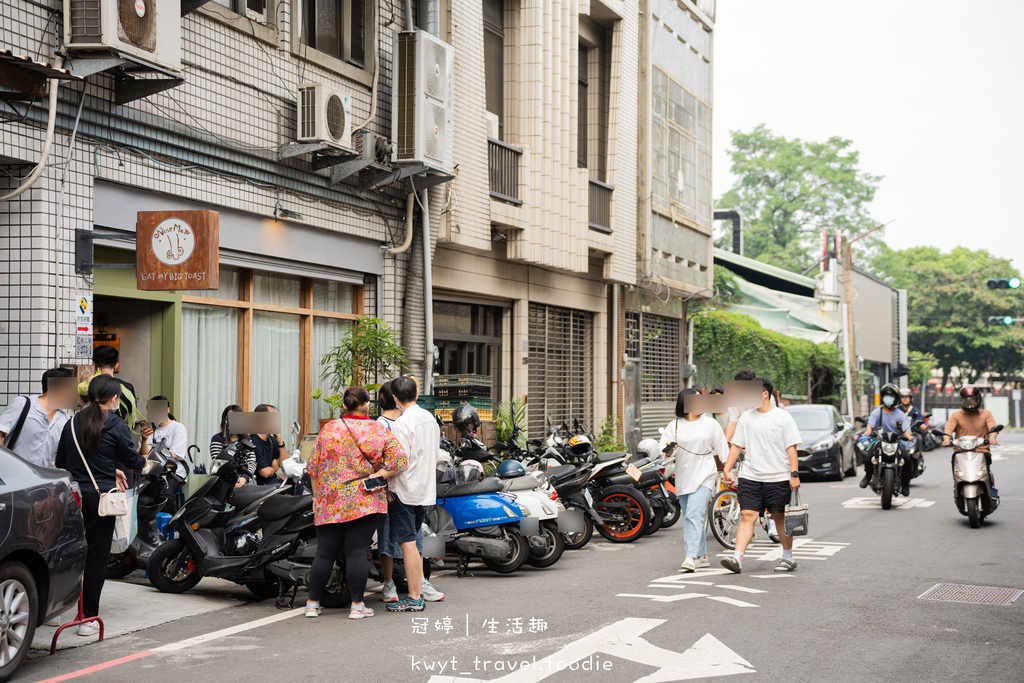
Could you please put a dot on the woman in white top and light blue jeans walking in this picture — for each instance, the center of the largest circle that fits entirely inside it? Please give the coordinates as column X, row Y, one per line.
column 698, row 440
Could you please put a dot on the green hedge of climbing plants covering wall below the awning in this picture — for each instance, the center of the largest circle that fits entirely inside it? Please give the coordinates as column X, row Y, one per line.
column 726, row 343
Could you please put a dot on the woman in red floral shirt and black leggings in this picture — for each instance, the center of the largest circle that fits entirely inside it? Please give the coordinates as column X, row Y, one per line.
column 348, row 453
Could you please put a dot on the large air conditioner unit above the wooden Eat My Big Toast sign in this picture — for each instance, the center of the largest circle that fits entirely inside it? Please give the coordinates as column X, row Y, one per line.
column 147, row 30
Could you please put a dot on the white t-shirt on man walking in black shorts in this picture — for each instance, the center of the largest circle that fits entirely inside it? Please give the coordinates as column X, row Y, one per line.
column 765, row 437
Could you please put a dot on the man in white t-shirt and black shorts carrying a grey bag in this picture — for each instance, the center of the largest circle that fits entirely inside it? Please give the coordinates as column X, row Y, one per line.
column 770, row 436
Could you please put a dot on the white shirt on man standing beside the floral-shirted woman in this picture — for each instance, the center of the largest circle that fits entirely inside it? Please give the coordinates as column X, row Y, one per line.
column 419, row 435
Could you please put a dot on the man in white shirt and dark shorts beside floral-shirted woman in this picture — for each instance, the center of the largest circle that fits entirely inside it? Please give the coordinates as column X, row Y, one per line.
column 415, row 489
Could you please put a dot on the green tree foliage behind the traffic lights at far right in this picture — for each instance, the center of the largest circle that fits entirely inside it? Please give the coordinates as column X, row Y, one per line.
column 950, row 305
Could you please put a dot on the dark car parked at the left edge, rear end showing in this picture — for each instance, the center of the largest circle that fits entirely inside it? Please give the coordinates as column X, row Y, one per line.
column 42, row 552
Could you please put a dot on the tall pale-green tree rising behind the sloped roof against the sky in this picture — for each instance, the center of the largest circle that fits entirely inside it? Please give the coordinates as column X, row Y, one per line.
column 789, row 191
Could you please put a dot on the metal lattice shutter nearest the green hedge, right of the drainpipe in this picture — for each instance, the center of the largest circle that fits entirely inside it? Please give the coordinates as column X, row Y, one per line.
column 661, row 356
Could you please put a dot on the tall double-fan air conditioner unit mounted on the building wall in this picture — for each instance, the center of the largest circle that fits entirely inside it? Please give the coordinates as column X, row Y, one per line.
column 422, row 117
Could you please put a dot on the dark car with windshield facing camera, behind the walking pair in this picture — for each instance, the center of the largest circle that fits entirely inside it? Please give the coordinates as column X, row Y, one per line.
column 828, row 448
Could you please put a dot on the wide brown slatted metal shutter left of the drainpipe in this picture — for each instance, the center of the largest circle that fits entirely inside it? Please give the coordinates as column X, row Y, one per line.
column 562, row 367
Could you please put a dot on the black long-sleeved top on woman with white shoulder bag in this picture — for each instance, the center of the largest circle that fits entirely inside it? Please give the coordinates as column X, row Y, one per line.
column 116, row 452
